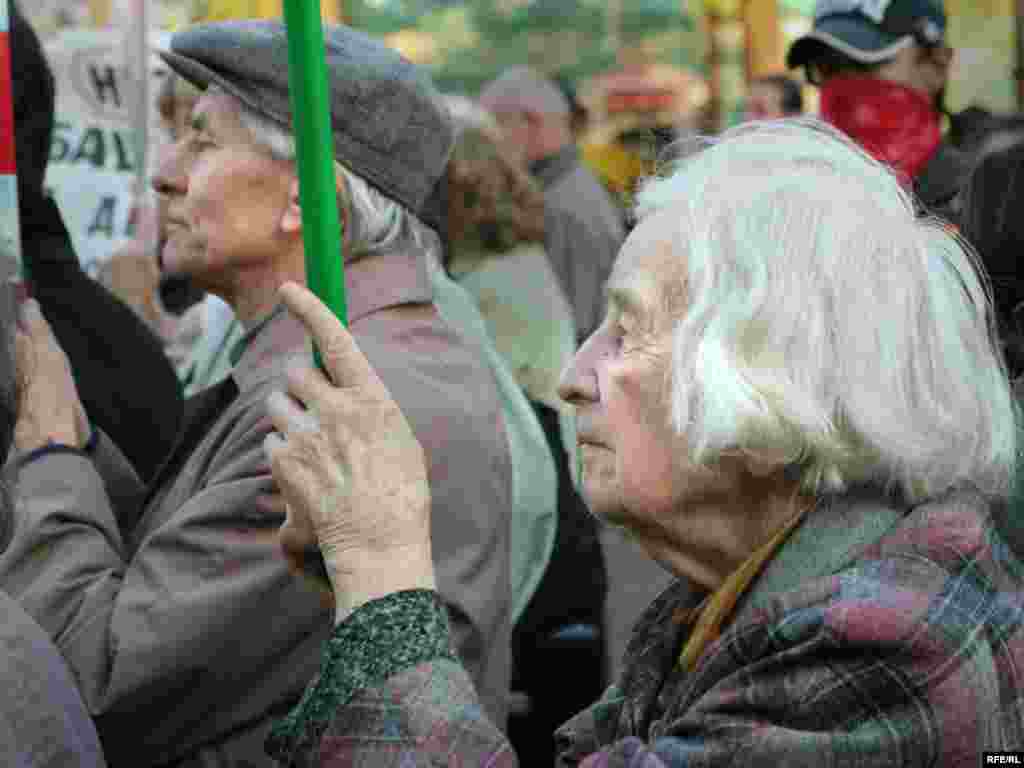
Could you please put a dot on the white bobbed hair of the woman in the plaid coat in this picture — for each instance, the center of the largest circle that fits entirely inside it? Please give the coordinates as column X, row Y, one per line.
column 829, row 329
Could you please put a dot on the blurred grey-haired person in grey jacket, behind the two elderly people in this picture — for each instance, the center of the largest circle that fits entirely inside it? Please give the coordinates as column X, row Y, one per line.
column 584, row 227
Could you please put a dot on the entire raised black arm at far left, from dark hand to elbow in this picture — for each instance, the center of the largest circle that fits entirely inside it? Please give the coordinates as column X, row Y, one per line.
column 127, row 386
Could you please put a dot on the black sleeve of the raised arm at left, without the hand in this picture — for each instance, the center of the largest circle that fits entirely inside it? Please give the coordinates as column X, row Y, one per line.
column 126, row 383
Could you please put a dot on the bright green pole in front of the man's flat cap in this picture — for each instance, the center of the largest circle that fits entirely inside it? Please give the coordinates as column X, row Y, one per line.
column 315, row 145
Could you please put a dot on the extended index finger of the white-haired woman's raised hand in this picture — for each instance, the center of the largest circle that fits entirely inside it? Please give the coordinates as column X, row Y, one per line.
column 347, row 366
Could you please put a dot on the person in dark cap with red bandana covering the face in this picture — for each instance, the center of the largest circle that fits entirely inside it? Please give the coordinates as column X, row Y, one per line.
column 883, row 68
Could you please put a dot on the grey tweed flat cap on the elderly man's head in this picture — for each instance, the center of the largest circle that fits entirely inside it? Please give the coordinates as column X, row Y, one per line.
column 390, row 124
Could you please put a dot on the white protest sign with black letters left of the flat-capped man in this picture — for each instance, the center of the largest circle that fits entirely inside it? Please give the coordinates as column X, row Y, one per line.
column 94, row 174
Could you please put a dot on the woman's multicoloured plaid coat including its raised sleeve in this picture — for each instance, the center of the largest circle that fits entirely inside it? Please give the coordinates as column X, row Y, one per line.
column 877, row 636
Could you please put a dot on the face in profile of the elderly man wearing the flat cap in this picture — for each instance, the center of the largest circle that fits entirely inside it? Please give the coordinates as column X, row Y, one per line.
column 223, row 196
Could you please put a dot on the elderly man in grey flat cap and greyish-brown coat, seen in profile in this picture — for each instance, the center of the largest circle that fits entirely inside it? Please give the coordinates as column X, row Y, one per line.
column 185, row 623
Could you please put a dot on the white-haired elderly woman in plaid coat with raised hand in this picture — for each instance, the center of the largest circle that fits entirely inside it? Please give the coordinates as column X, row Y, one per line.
column 797, row 405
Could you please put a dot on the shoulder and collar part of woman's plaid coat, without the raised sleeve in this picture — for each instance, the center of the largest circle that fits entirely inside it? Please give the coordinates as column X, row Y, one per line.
column 817, row 619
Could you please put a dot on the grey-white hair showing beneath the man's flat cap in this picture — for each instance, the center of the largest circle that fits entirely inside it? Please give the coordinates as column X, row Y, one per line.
column 375, row 223
